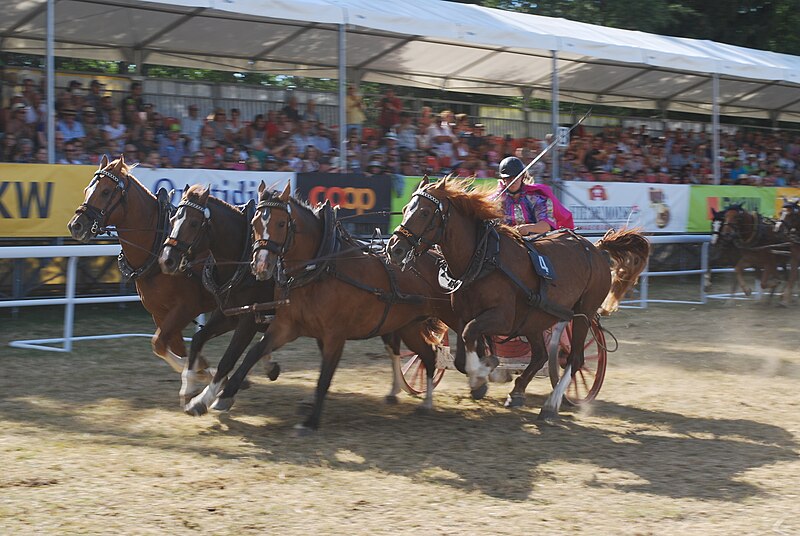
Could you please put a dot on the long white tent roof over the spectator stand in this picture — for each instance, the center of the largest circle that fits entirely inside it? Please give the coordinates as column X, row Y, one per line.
column 423, row 43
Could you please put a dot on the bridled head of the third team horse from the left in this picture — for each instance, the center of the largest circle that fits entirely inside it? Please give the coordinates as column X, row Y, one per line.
column 273, row 230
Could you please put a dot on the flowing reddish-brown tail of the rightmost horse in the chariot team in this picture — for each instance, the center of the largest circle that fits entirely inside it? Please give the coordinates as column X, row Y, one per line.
column 628, row 251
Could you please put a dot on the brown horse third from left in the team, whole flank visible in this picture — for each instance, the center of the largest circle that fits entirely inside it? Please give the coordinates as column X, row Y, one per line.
column 336, row 292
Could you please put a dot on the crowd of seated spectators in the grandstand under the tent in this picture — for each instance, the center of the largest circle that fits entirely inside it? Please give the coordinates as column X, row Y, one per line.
column 90, row 123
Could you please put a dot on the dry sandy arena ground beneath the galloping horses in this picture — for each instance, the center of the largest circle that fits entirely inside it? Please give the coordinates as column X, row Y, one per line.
column 696, row 431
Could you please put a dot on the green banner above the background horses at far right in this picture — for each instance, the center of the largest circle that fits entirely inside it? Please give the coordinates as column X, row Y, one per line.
column 704, row 198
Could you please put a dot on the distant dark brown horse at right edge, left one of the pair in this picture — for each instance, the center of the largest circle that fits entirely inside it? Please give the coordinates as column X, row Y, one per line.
column 753, row 237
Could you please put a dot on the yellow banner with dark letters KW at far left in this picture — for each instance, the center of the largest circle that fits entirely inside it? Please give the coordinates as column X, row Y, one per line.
column 37, row 200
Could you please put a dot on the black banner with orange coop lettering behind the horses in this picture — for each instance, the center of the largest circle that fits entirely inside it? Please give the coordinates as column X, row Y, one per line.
column 360, row 199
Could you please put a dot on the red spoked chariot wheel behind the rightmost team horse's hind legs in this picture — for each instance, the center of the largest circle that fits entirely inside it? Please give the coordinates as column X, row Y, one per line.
column 586, row 383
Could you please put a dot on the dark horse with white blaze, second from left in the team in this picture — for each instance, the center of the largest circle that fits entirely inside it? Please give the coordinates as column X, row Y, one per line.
column 209, row 232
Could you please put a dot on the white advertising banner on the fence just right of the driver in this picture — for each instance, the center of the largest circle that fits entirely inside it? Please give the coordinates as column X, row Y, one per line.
column 656, row 208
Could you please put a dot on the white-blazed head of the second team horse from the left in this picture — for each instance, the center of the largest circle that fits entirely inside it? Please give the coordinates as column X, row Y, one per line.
column 188, row 235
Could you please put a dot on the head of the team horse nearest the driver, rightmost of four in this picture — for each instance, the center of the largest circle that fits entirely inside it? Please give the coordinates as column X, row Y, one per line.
column 424, row 222
